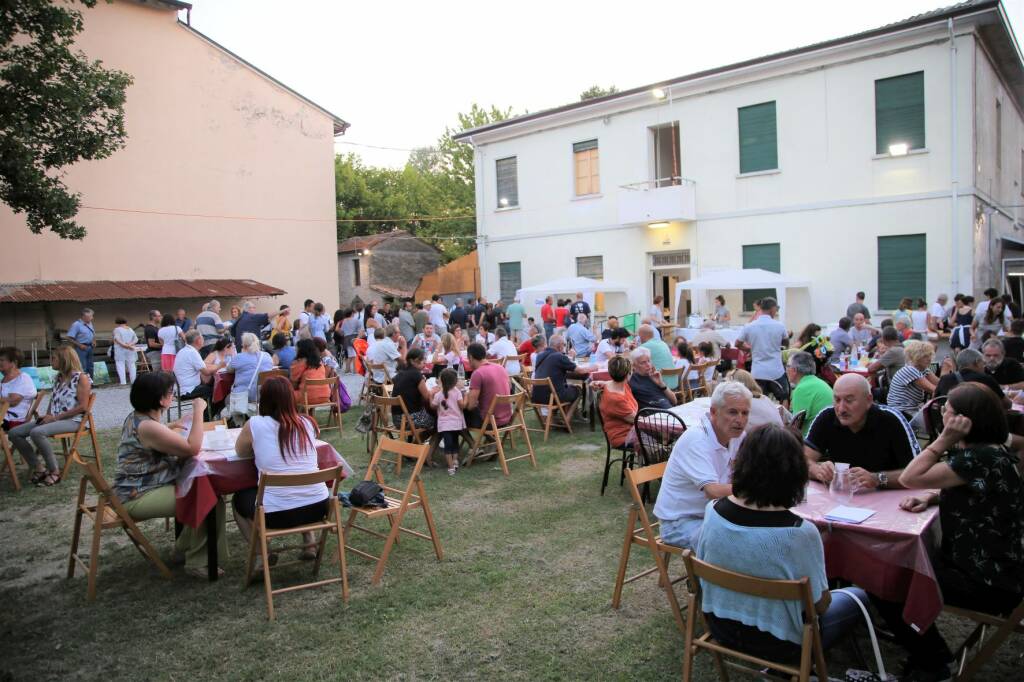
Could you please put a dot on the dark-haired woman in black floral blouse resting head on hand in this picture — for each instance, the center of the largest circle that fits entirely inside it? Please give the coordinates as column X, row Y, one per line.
column 982, row 509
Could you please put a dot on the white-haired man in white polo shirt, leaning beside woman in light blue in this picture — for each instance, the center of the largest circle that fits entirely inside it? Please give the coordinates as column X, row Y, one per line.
column 700, row 468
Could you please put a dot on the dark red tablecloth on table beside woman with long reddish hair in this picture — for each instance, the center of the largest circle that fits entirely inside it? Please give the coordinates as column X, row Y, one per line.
column 211, row 475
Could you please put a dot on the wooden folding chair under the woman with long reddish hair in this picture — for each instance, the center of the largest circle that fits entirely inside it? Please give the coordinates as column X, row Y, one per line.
column 331, row 524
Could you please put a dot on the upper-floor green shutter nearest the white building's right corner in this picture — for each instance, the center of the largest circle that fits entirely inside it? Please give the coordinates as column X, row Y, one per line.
column 900, row 112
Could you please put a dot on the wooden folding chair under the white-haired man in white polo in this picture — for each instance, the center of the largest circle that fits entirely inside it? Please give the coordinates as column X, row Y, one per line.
column 646, row 535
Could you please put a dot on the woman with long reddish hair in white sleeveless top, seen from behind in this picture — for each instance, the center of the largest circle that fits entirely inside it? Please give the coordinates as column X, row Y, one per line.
column 282, row 441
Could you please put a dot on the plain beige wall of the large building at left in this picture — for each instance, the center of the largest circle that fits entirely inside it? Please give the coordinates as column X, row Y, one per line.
column 207, row 136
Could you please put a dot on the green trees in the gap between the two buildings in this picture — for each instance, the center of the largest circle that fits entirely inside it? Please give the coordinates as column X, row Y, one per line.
column 437, row 183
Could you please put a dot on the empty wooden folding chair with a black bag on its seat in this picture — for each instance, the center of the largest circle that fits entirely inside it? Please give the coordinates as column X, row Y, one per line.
column 397, row 507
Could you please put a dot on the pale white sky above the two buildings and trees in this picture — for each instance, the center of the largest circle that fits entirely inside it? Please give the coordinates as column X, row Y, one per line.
column 401, row 72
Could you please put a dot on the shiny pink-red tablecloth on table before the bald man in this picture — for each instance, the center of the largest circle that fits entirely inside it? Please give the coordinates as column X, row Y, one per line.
column 887, row 555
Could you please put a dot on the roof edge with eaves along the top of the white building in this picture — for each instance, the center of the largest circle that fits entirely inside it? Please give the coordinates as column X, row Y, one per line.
column 935, row 16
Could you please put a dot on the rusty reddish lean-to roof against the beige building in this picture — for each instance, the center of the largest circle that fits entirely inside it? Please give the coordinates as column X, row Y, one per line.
column 108, row 290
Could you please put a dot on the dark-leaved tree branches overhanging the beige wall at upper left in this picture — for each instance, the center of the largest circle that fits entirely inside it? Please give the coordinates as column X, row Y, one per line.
column 57, row 108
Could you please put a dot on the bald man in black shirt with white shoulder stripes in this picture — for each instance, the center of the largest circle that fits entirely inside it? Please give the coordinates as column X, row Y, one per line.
column 874, row 440
